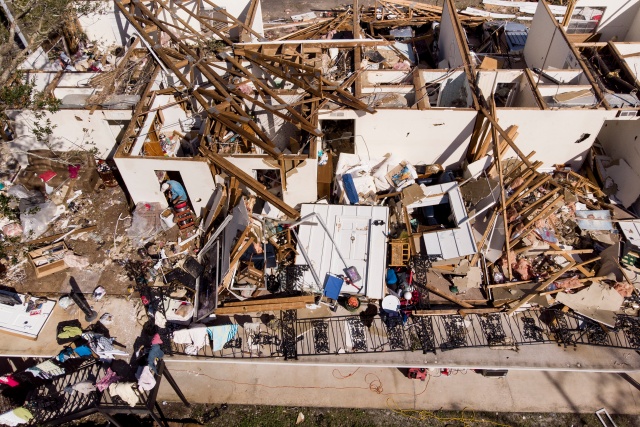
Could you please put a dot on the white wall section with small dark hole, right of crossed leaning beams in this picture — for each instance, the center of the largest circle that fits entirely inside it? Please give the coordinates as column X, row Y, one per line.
column 552, row 134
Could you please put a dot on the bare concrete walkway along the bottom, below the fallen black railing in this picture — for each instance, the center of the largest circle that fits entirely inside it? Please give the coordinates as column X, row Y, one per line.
column 373, row 387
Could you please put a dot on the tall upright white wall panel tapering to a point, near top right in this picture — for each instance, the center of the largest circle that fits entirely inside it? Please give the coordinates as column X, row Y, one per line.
column 546, row 46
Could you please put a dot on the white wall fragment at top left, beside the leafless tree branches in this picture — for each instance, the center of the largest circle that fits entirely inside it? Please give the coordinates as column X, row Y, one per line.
column 109, row 27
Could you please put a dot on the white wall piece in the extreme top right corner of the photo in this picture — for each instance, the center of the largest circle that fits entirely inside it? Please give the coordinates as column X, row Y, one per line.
column 617, row 19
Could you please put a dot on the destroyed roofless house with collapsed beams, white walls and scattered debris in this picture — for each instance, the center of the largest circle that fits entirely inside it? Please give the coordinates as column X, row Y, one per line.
column 370, row 180
